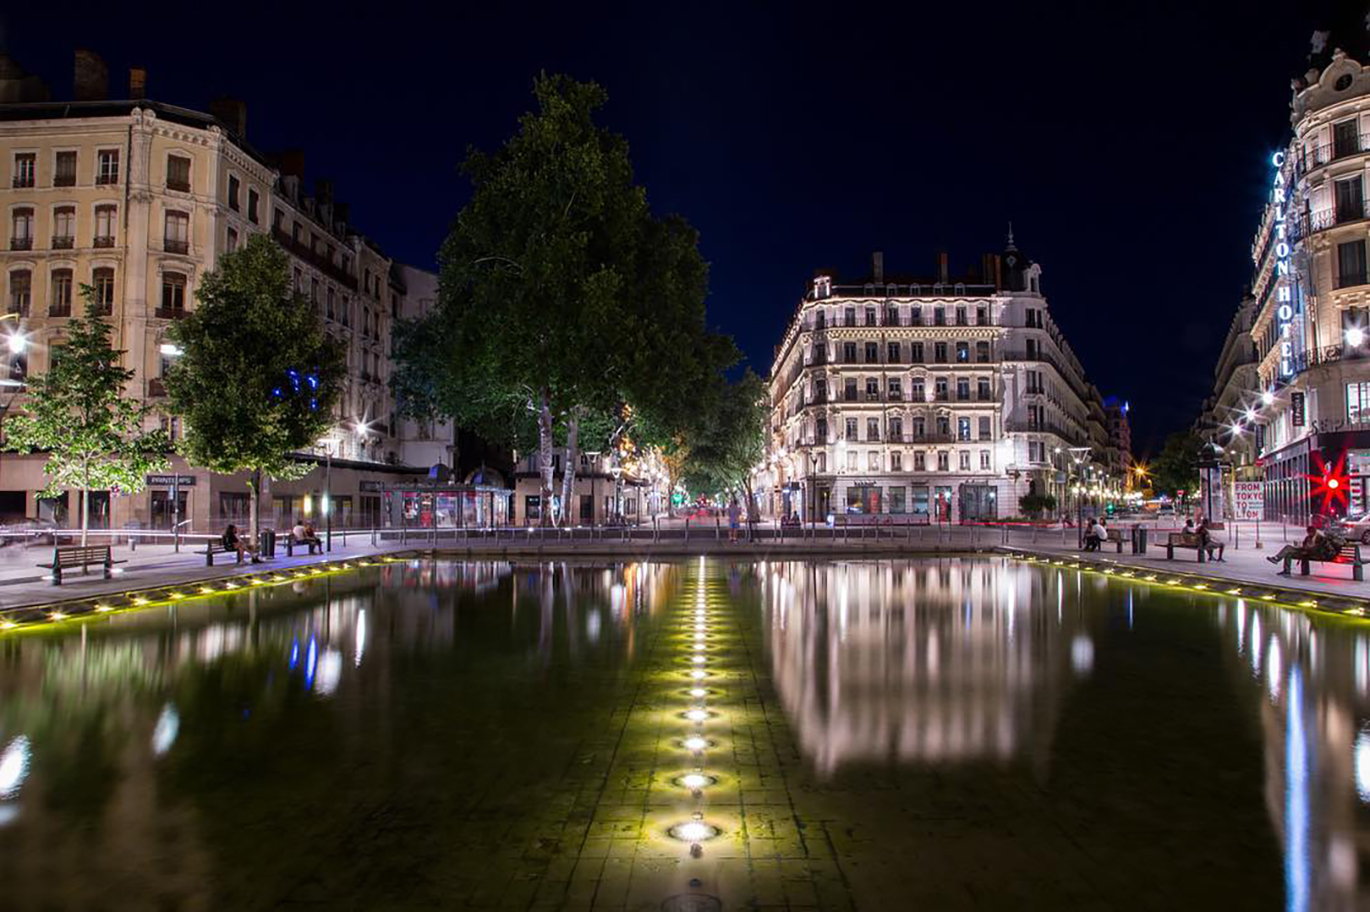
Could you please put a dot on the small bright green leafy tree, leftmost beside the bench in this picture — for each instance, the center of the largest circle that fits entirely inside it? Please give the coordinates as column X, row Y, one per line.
column 82, row 416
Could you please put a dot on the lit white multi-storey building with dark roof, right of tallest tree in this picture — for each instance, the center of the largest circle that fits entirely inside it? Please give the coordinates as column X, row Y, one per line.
column 934, row 399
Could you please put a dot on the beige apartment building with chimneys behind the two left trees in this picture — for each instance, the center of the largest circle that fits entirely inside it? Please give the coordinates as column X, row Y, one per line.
column 139, row 199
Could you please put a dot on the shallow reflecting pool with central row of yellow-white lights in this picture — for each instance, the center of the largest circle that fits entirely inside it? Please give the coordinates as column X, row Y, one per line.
column 887, row 735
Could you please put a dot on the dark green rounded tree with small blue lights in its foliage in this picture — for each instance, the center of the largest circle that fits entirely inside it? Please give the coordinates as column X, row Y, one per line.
column 258, row 379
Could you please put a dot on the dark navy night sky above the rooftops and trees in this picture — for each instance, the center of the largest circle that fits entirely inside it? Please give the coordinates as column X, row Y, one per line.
column 1127, row 142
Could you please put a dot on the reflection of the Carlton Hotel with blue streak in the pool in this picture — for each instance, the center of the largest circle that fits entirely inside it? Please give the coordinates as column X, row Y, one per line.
column 1315, row 710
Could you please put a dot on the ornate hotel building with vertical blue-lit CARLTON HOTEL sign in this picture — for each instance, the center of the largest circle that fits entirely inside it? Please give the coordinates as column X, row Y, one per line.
column 1309, row 409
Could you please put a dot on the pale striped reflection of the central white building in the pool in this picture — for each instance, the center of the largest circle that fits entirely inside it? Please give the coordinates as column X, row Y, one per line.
column 923, row 661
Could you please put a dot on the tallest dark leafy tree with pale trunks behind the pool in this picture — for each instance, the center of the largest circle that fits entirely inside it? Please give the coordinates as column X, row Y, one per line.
column 564, row 303
